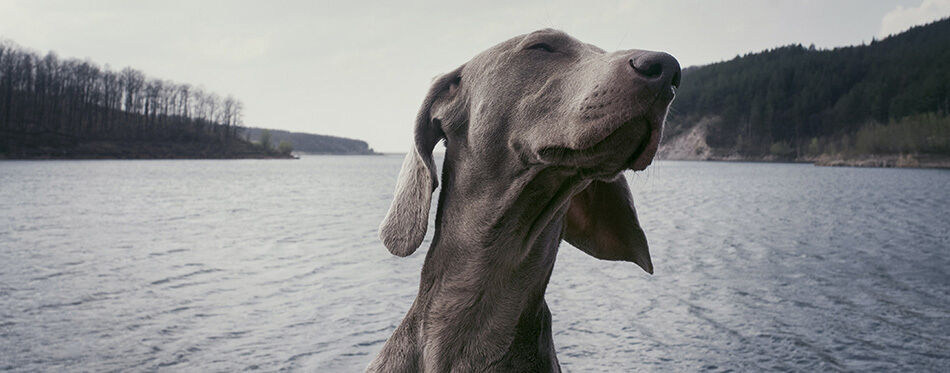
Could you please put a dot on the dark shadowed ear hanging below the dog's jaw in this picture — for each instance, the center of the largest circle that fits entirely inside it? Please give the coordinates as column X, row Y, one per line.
column 602, row 222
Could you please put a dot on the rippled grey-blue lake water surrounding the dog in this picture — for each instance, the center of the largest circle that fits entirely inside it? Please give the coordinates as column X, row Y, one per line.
column 221, row 266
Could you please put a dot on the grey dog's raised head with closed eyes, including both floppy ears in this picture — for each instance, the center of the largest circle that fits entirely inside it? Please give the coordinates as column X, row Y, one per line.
column 546, row 100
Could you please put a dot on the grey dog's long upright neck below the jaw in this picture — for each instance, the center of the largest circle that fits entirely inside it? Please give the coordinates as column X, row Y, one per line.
column 481, row 297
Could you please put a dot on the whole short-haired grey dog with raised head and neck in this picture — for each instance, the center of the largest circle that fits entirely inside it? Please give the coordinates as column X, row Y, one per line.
column 537, row 130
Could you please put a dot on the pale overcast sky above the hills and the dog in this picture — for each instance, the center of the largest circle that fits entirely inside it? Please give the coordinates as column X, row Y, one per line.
column 360, row 69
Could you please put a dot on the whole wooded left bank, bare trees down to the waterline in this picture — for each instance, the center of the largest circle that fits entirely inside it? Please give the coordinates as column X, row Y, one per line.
column 49, row 106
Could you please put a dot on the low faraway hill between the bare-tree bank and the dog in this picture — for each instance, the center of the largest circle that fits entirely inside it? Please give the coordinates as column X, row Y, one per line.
column 313, row 144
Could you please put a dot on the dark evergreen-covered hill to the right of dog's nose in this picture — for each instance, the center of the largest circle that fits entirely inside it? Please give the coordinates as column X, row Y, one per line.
column 889, row 99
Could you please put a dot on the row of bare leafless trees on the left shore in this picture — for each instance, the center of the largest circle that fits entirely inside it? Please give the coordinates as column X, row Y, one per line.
column 79, row 98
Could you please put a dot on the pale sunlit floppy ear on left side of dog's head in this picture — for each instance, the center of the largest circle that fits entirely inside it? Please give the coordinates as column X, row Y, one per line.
column 404, row 226
